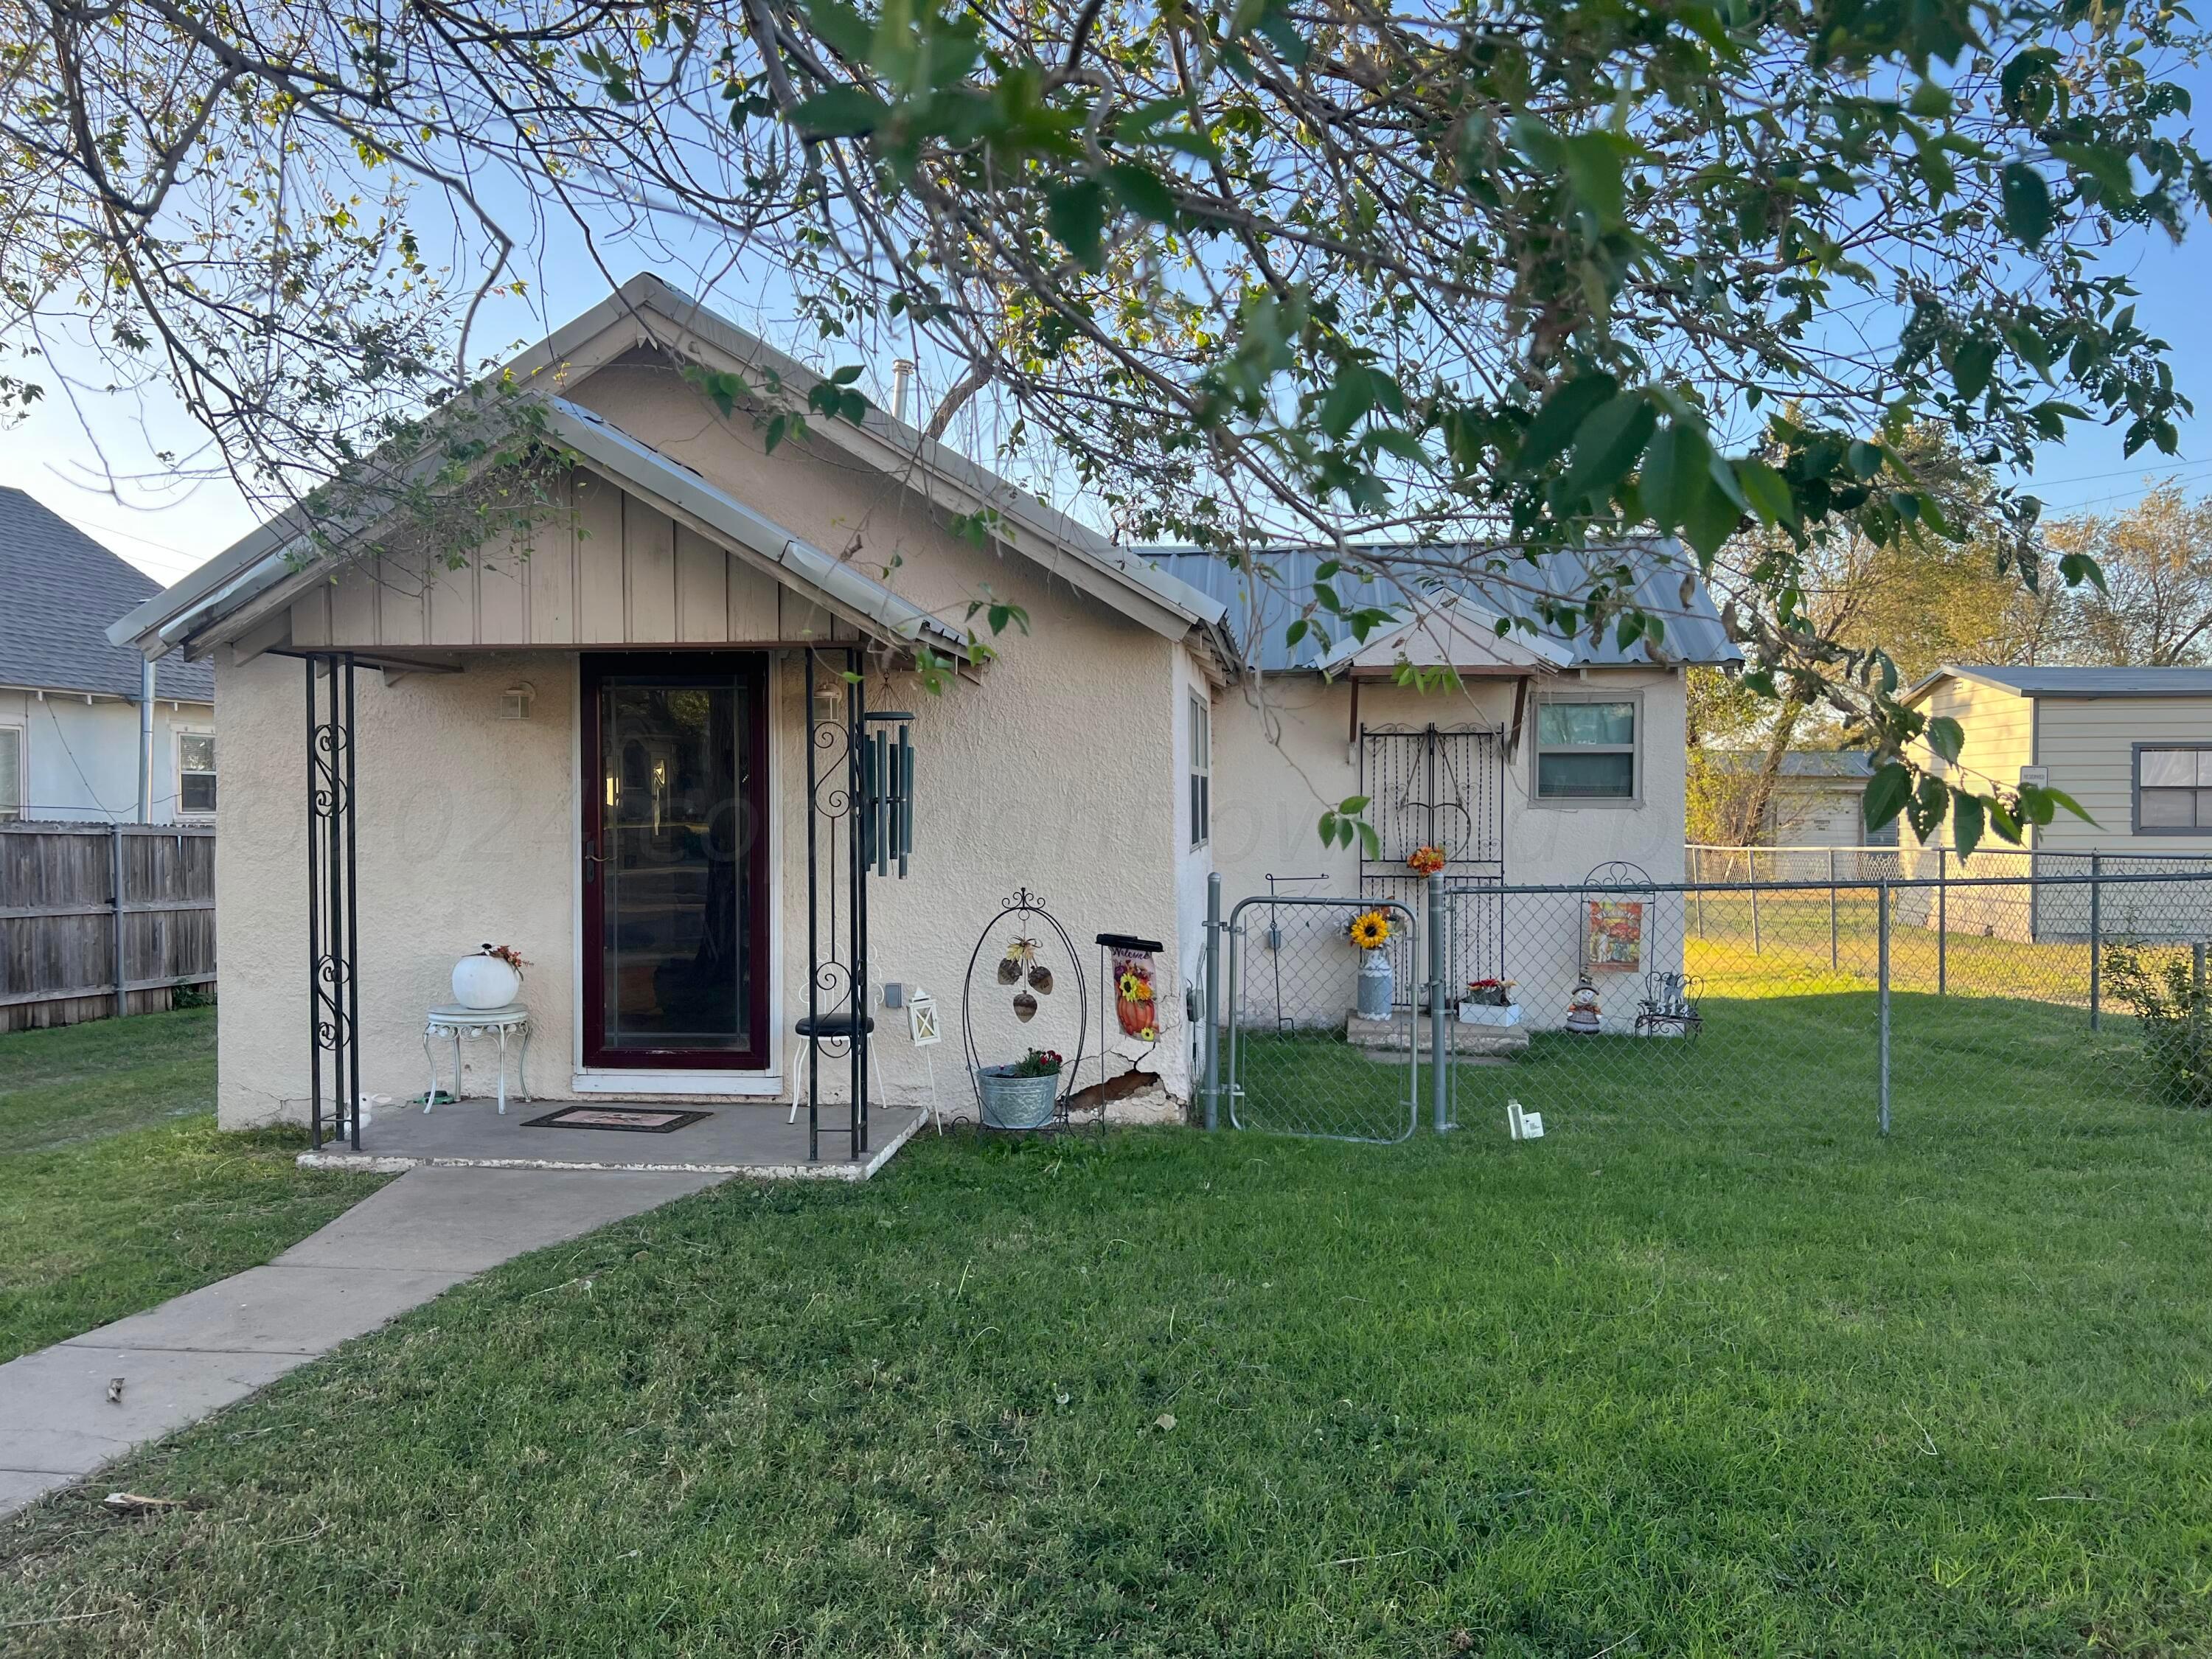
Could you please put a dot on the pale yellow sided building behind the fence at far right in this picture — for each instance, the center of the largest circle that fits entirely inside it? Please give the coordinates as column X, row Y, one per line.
column 2133, row 747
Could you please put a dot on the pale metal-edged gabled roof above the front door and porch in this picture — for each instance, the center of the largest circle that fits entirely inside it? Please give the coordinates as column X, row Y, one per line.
column 645, row 311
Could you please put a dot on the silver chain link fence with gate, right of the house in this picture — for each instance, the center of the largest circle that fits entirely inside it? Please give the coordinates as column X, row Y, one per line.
column 1780, row 1010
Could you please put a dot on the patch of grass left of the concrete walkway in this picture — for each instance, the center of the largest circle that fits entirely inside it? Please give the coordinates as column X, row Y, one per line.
column 116, row 1189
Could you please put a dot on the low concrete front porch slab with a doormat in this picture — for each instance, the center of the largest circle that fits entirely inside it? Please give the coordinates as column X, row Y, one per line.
column 733, row 1138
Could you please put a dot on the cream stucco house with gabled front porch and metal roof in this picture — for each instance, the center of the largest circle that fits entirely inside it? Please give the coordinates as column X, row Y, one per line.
column 596, row 749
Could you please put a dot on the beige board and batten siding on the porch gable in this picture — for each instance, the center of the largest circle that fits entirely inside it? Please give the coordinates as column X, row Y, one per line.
column 607, row 572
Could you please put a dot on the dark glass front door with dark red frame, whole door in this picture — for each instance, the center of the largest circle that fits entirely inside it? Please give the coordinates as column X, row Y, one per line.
column 676, row 862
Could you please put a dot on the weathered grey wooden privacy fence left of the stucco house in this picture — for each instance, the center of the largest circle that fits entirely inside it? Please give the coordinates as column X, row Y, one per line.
column 103, row 919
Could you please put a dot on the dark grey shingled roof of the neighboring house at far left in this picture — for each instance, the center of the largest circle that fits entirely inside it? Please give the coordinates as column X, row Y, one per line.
column 59, row 594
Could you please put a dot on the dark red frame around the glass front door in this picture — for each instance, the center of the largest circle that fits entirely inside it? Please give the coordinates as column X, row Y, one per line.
column 678, row 669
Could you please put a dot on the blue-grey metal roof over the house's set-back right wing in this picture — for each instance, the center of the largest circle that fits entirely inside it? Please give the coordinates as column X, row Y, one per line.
column 1273, row 587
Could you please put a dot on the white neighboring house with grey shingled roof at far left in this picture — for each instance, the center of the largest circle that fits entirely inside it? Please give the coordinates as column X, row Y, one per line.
column 70, row 700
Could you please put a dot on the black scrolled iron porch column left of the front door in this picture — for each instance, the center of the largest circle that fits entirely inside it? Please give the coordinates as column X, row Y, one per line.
column 333, row 906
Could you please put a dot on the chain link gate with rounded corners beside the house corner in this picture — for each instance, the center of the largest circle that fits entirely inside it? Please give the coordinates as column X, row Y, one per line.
column 1300, row 1058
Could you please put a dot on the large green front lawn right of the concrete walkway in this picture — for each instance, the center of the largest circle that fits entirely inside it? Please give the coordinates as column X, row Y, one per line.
column 1629, row 1390
